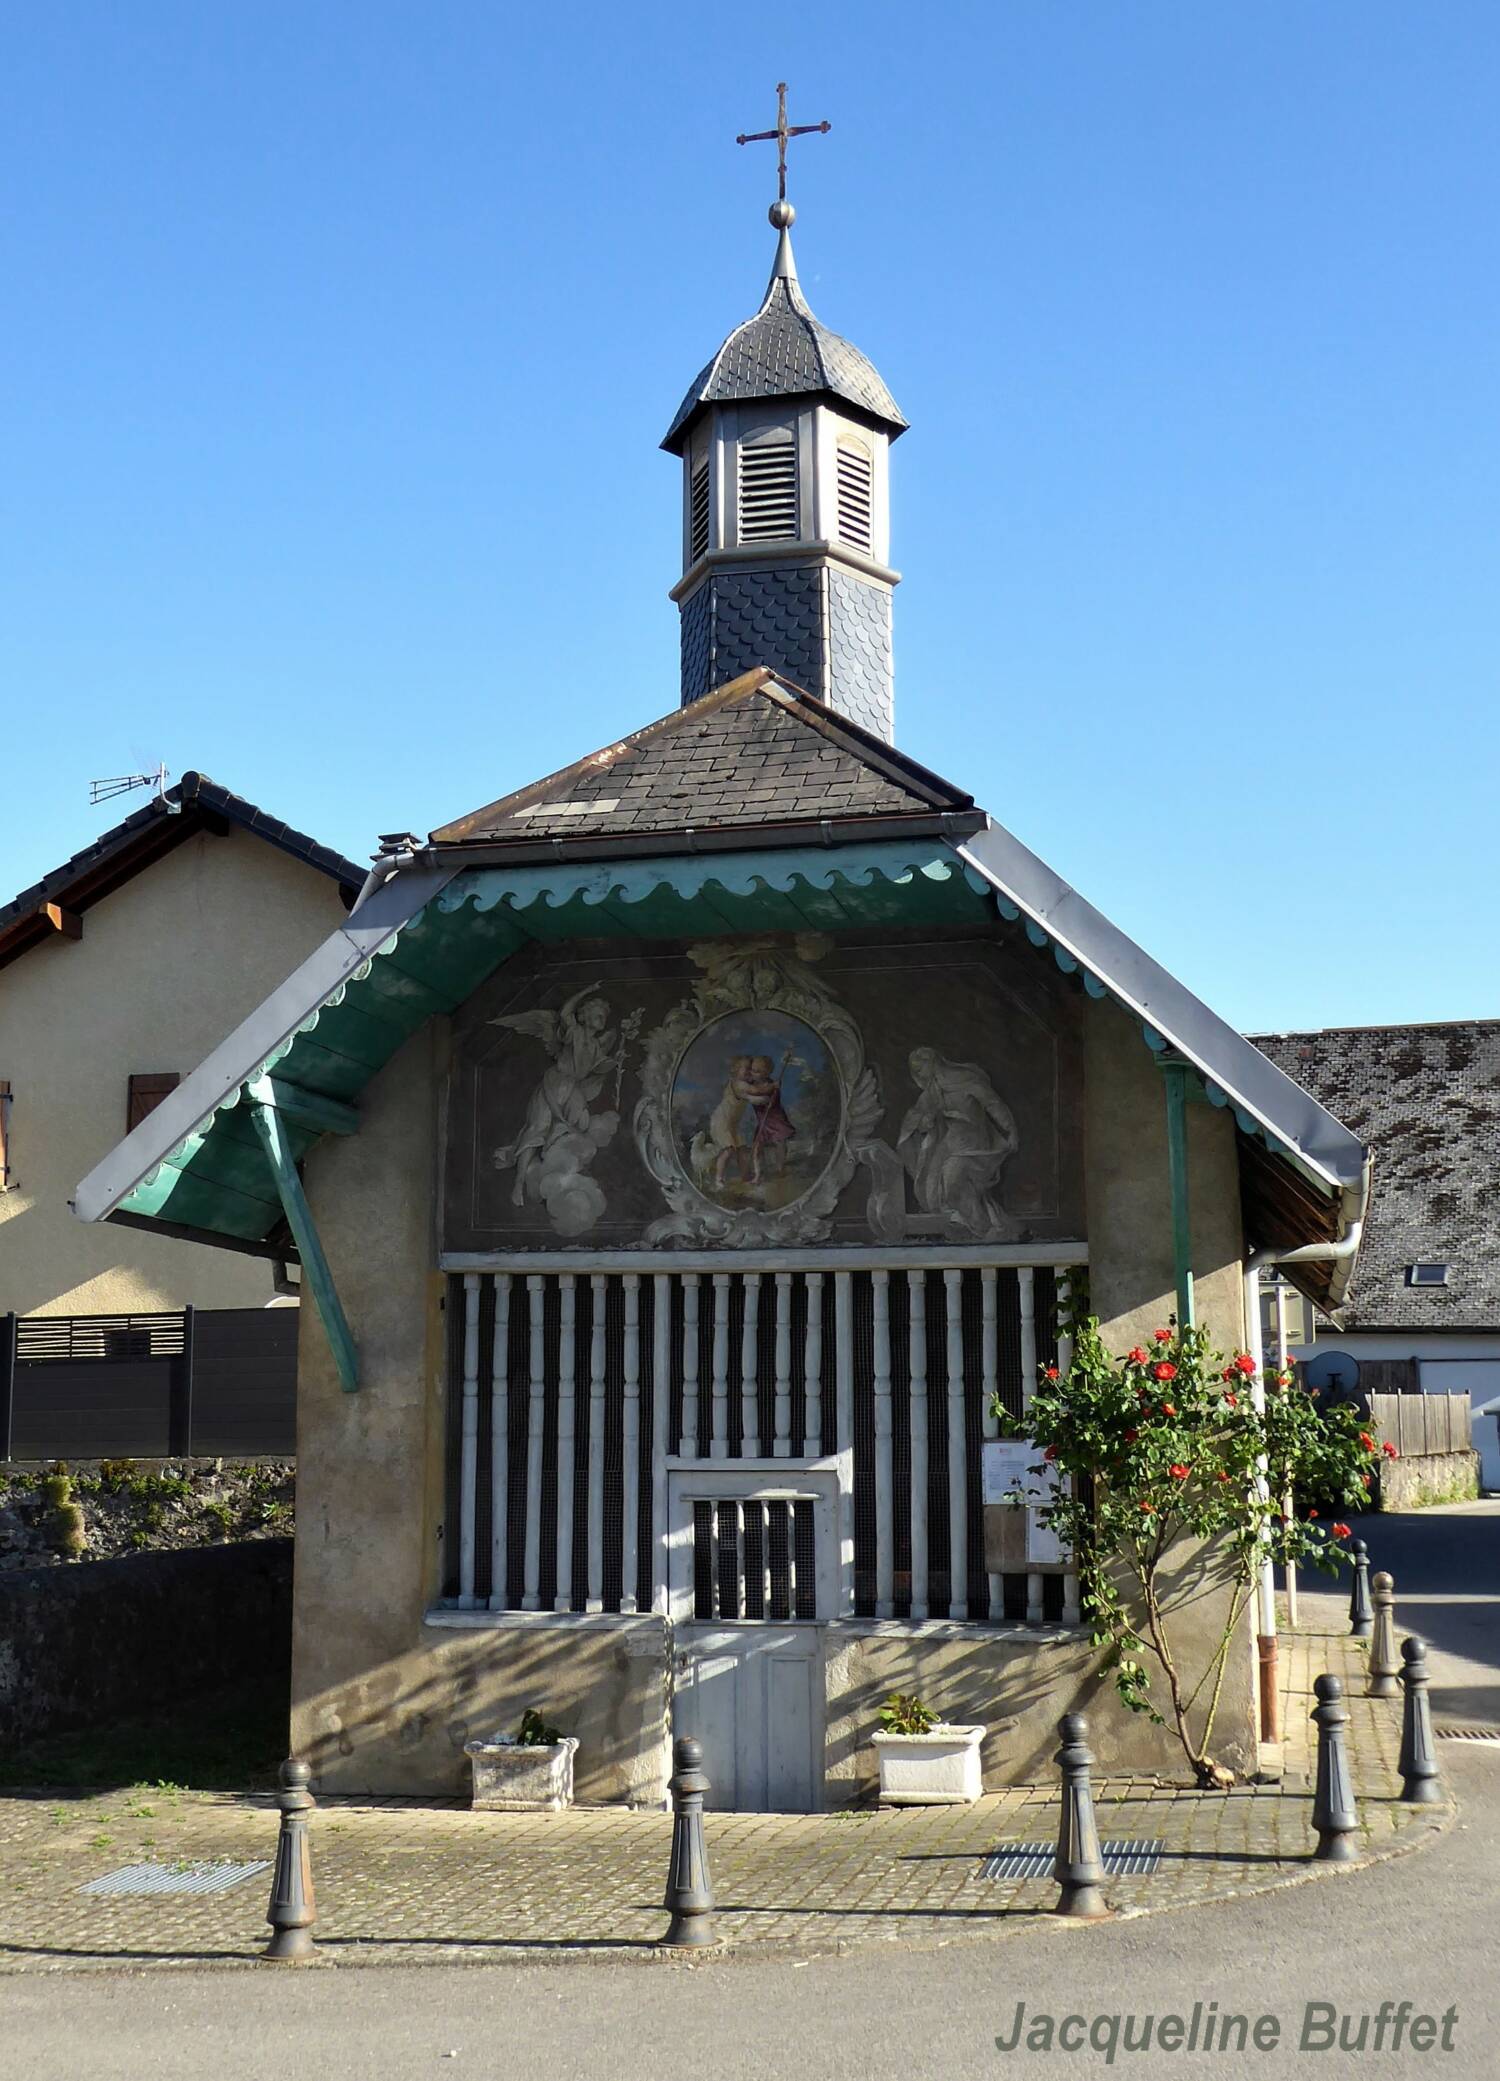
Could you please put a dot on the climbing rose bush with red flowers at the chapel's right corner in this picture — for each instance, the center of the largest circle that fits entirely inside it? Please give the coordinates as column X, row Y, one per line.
column 1164, row 1449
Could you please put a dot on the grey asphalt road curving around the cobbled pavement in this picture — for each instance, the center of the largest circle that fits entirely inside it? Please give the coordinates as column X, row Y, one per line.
column 1420, row 1928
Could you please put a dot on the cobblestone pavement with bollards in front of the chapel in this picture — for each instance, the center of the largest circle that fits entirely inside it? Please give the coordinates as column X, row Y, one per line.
column 403, row 1882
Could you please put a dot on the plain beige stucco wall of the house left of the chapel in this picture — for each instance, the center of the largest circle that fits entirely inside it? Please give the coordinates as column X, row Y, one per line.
column 165, row 969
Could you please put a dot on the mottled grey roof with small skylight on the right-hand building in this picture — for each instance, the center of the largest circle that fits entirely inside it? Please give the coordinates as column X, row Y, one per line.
column 1428, row 1102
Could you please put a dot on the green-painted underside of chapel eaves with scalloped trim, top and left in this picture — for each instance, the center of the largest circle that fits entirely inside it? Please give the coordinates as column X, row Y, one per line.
column 219, row 1181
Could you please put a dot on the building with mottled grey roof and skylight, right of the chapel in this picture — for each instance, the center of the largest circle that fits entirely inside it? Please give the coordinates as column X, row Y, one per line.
column 1424, row 1306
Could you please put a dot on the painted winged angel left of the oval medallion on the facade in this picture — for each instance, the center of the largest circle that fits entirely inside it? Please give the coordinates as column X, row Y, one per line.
column 563, row 1135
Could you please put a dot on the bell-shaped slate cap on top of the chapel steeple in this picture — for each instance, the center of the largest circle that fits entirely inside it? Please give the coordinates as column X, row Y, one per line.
column 785, row 353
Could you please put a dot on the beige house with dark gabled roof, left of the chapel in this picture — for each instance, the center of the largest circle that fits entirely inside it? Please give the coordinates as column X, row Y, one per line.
column 118, row 973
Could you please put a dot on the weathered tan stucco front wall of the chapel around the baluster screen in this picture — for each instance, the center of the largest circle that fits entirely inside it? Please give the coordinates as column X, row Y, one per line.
column 384, row 1701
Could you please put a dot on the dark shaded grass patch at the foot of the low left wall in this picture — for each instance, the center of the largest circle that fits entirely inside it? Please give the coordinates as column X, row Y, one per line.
column 219, row 1743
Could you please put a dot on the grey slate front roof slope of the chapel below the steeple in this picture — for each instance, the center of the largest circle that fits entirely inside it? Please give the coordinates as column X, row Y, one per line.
column 756, row 752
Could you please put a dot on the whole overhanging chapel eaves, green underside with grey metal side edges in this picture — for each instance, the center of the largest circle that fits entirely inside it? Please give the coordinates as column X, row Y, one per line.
column 423, row 940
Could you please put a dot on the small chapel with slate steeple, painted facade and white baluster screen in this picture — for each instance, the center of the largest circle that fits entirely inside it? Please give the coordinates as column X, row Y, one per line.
column 683, row 1154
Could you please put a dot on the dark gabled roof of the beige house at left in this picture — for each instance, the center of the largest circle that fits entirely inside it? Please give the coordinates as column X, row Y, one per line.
column 143, row 838
